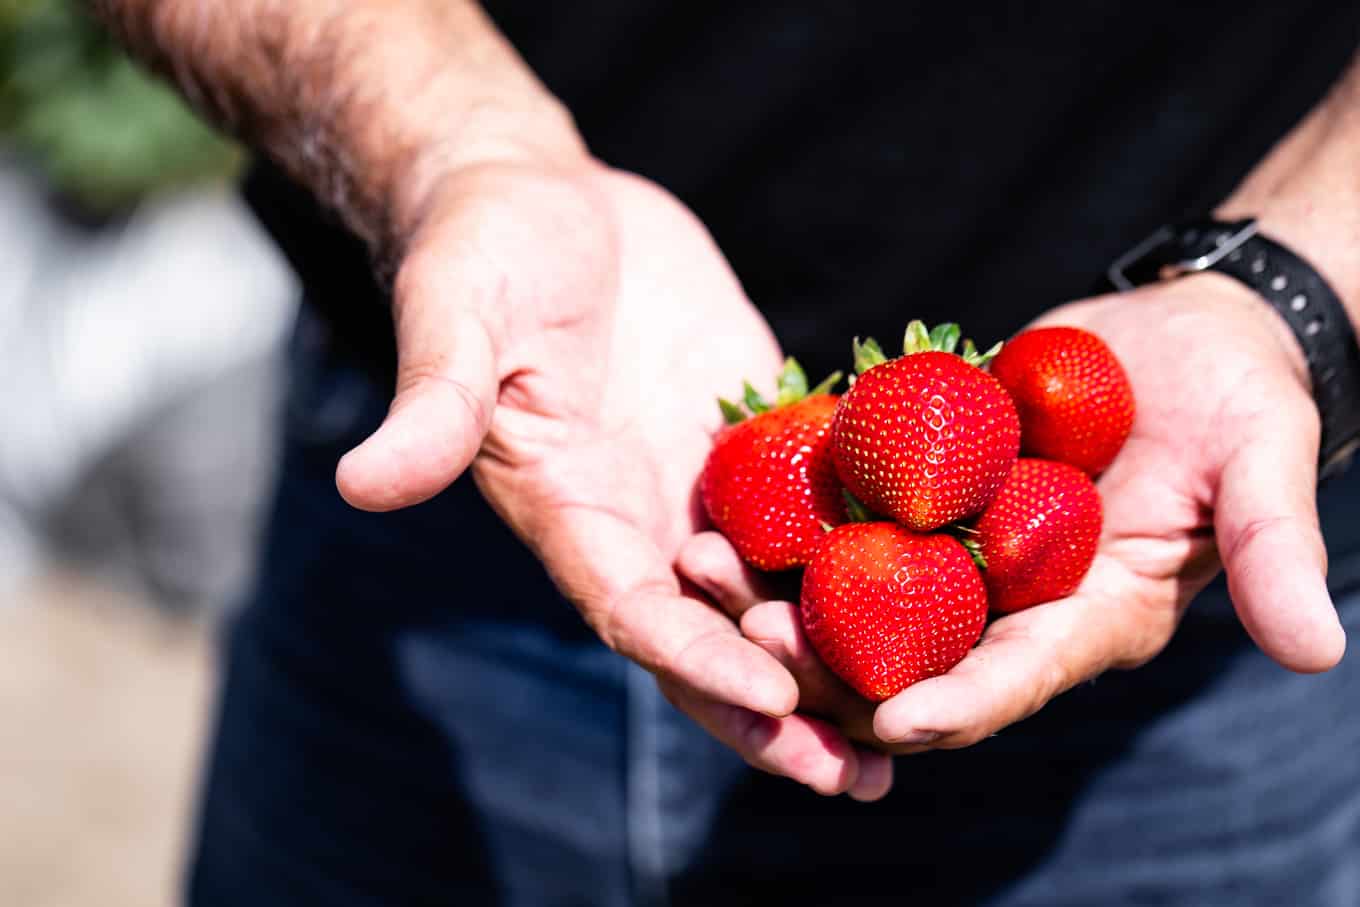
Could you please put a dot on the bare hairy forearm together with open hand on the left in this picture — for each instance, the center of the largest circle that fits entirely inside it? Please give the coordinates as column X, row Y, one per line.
column 547, row 313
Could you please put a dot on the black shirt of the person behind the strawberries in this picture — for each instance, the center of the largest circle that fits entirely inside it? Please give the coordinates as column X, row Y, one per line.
column 867, row 164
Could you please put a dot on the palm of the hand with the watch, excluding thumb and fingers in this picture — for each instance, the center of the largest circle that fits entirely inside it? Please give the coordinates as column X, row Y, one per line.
column 1196, row 410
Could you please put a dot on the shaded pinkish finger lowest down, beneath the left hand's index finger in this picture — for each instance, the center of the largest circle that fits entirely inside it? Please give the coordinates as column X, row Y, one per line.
column 804, row 750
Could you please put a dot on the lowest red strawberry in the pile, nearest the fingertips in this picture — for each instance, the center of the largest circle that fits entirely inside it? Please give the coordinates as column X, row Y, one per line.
column 886, row 607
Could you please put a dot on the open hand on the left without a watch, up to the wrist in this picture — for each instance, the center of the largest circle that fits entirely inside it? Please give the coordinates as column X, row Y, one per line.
column 566, row 334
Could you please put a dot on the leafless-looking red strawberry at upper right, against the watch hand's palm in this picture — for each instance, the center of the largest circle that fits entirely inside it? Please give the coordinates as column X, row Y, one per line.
column 1075, row 402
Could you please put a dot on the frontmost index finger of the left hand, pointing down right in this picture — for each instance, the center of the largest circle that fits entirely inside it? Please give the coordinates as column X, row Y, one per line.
column 629, row 595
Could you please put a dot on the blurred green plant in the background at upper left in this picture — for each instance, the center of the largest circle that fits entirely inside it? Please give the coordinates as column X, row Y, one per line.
column 103, row 131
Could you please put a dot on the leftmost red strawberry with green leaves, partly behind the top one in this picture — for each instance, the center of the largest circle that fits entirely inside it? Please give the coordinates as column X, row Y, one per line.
column 769, row 485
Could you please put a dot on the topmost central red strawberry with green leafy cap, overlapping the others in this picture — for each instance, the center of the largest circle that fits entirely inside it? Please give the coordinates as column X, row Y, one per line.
column 927, row 439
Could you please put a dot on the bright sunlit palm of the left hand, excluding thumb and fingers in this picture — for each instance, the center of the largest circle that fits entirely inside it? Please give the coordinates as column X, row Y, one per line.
column 598, row 471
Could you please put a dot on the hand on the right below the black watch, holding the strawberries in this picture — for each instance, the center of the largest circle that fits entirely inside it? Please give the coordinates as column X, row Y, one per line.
column 1221, row 471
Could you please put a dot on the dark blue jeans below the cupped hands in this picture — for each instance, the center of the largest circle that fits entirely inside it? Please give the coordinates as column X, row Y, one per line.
column 413, row 716
